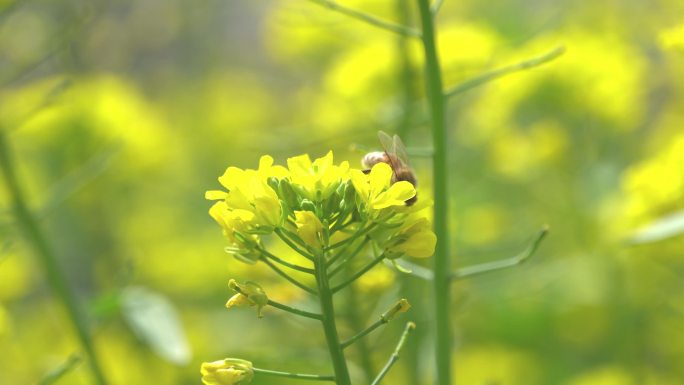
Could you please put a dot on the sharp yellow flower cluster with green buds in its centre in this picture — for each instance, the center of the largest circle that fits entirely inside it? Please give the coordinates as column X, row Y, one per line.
column 313, row 202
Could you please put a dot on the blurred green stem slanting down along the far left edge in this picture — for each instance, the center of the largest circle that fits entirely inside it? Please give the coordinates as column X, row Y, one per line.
column 47, row 258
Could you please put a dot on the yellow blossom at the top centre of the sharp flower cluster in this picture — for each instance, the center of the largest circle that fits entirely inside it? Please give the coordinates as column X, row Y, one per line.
column 319, row 179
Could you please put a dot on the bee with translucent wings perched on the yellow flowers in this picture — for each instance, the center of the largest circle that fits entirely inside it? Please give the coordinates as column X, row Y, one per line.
column 395, row 156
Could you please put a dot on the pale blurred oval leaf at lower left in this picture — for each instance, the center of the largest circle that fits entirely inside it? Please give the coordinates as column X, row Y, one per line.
column 153, row 318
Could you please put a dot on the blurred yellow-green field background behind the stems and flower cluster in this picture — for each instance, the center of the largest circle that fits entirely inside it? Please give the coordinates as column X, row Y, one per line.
column 120, row 115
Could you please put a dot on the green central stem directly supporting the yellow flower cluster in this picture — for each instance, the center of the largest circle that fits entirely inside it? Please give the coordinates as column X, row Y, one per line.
column 329, row 326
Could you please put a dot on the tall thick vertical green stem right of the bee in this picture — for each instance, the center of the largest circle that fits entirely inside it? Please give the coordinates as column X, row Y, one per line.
column 442, row 261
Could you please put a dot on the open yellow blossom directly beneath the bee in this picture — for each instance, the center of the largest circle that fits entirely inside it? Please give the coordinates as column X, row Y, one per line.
column 377, row 190
